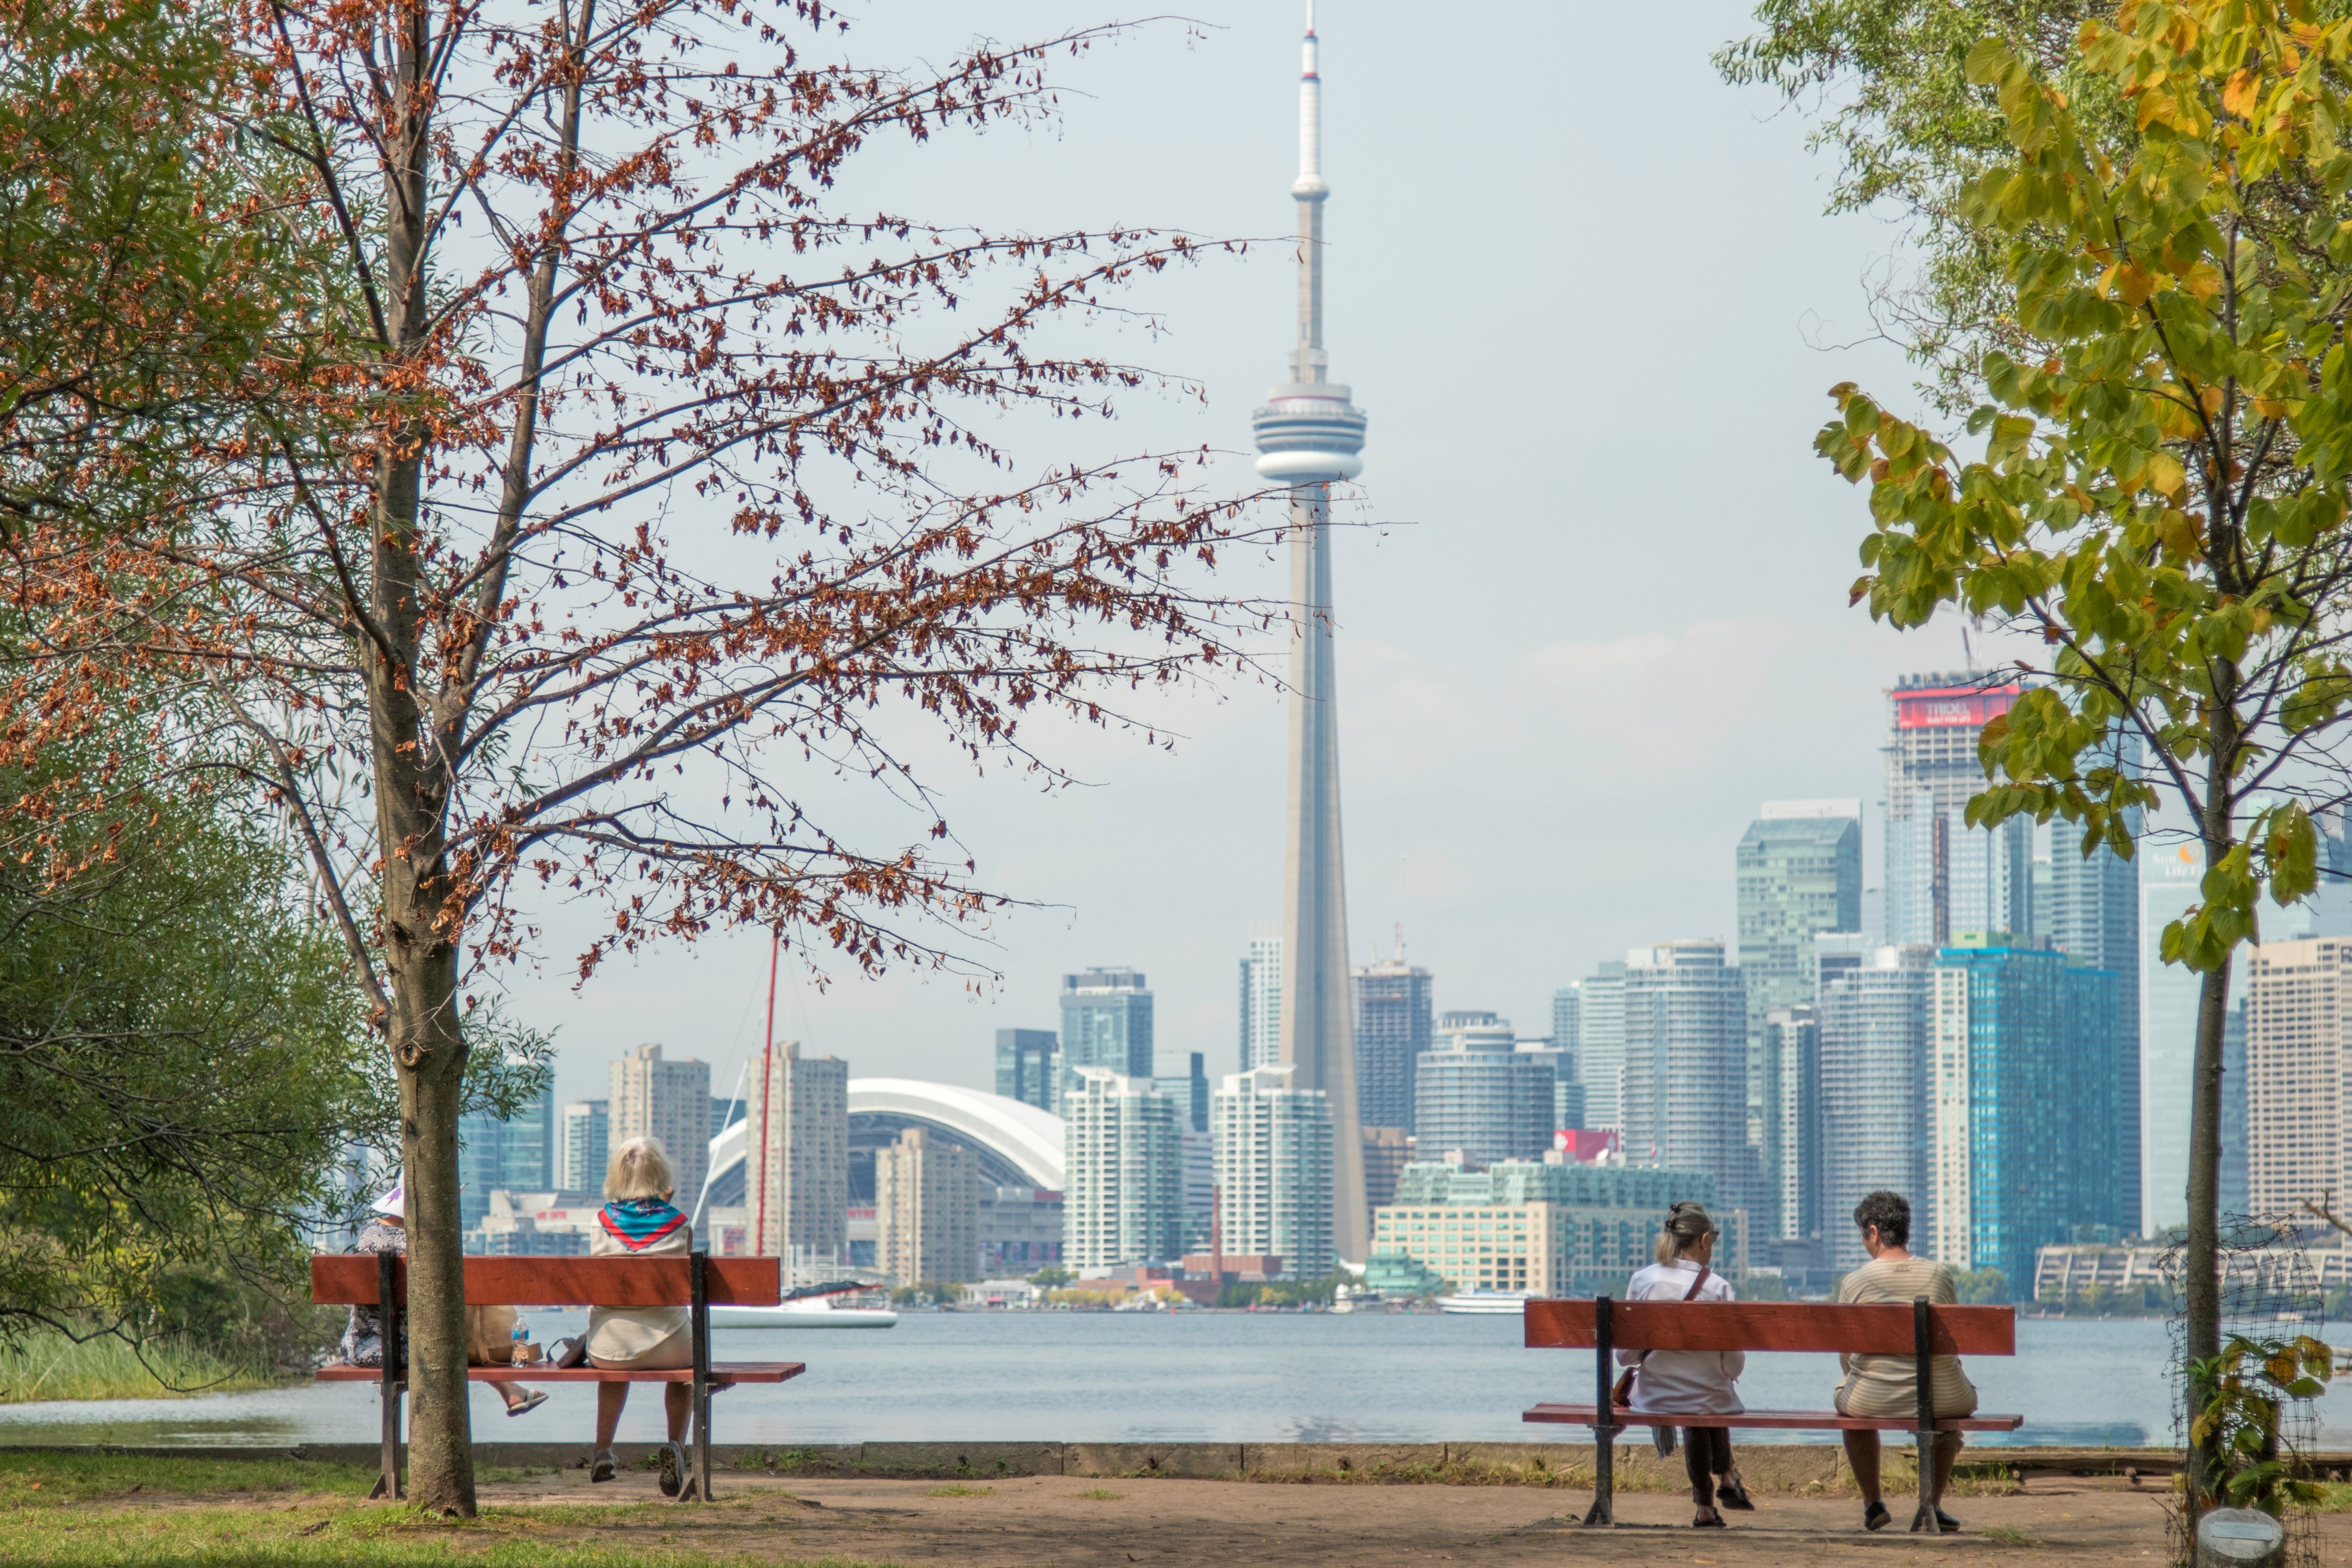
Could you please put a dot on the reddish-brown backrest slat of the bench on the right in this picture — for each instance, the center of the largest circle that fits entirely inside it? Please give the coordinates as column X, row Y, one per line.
column 1878, row 1329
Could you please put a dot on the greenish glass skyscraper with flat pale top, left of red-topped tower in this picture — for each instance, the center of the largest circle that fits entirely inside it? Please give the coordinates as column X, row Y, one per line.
column 1798, row 871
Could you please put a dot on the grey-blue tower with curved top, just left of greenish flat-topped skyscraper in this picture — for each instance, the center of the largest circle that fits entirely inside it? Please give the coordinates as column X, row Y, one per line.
column 1685, row 1104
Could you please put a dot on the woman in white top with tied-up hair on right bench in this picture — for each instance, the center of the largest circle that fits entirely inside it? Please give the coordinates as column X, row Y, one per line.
column 1690, row 1381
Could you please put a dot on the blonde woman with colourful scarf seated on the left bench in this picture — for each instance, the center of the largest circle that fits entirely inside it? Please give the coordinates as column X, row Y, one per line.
column 639, row 1221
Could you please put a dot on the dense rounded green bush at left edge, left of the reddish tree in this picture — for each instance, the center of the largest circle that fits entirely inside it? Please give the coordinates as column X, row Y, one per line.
column 180, row 1061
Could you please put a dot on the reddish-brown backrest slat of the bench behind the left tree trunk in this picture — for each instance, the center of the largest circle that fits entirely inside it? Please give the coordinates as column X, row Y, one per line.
column 349, row 1280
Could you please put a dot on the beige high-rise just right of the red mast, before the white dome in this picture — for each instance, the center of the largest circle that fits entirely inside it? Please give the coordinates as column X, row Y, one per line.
column 799, row 1155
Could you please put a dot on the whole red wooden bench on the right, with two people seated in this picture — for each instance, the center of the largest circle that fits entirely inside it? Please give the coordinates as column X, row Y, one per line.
column 1878, row 1329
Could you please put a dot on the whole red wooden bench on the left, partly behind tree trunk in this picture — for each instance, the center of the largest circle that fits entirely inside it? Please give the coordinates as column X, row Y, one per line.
column 695, row 1282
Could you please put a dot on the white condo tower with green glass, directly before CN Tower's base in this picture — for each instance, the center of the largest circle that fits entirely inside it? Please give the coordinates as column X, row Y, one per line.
column 1276, row 1170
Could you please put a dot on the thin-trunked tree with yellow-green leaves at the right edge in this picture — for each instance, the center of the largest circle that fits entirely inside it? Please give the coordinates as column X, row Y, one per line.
column 2163, row 495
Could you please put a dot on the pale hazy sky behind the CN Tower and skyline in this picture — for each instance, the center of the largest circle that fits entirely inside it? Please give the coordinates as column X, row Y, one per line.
column 1586, row 295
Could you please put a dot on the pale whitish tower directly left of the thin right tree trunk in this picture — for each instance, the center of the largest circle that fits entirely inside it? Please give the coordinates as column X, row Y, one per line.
column 2172, row 880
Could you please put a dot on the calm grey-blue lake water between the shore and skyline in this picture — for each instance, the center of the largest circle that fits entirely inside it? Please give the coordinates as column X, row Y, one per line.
column 1147, row 1376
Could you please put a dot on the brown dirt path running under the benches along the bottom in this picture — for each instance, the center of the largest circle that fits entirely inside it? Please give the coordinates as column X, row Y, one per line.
column 1062, row 1522
